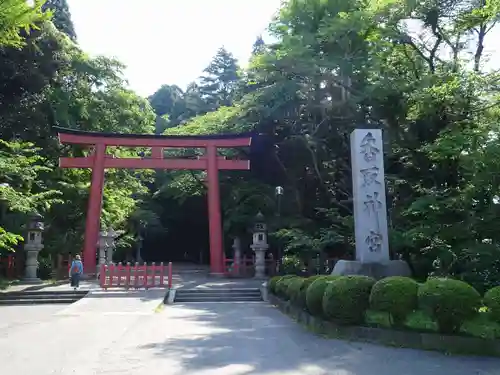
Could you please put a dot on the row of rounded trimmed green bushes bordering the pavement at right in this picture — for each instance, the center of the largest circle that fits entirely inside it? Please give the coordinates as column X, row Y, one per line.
column 394, row 301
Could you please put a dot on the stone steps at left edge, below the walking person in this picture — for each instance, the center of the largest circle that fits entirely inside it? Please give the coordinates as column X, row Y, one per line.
column 40, row 297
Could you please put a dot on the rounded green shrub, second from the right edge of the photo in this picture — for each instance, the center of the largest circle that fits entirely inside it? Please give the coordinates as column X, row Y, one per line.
column 449, row 302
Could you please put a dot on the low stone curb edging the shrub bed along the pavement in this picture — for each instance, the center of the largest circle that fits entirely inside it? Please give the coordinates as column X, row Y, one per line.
column 403, row 339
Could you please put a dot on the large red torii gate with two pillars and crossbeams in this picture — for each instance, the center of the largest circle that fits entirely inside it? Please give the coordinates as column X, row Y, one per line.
column 98, row 161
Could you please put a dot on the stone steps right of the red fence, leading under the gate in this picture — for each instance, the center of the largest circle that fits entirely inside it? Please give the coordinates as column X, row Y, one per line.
column 218, row 295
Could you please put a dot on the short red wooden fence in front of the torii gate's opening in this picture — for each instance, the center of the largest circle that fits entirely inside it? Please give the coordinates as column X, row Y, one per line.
column 135, row 276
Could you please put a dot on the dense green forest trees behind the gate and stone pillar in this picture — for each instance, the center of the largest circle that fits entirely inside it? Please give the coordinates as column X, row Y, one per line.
column 413, row 69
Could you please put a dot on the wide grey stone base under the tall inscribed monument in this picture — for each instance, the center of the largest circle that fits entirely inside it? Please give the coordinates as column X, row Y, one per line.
column 375, row 270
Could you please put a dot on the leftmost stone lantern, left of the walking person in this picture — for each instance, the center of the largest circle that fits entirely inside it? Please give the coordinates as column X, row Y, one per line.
column 33, row 245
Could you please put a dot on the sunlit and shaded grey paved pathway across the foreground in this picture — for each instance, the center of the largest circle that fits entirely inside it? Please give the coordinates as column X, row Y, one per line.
column 121, row 334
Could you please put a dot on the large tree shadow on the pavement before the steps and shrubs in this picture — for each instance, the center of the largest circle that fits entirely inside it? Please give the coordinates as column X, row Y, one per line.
column 260, row 340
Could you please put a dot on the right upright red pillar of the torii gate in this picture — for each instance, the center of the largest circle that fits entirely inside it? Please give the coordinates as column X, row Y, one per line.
column 214, row 214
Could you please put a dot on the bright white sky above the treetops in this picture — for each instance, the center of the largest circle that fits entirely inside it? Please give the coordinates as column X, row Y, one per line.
column 172, row 41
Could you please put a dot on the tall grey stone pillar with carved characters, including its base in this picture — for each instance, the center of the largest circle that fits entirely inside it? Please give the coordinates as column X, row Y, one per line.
column 370, row 212
